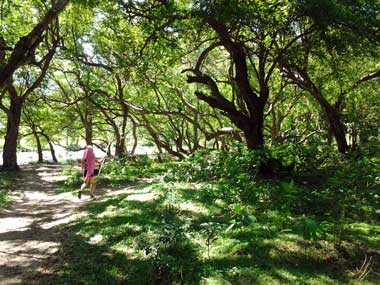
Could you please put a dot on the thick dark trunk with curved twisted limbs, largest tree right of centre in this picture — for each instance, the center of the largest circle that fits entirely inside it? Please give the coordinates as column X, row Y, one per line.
column 251, row 119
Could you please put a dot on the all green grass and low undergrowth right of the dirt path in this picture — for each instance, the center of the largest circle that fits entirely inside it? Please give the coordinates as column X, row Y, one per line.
column 228, row 230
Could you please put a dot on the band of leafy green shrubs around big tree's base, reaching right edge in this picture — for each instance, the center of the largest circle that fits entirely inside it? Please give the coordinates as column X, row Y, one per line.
column 314, row 180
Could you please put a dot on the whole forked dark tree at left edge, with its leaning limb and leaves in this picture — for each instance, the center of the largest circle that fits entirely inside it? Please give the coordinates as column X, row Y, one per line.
column 23, row 59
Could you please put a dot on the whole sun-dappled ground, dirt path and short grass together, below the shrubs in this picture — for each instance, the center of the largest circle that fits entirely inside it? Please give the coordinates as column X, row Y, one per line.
column 152, row 231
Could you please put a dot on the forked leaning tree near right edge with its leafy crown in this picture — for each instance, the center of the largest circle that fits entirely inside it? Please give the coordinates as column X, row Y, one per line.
column 331, row 30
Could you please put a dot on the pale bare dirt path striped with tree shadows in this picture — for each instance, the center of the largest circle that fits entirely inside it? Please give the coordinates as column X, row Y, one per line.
column 29, row 230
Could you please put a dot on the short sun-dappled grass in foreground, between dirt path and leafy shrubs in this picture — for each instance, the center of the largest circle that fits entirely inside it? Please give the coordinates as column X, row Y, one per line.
column 177, row 239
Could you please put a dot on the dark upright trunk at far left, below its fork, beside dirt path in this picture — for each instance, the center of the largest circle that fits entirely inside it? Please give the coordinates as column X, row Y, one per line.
column 13, row 123
